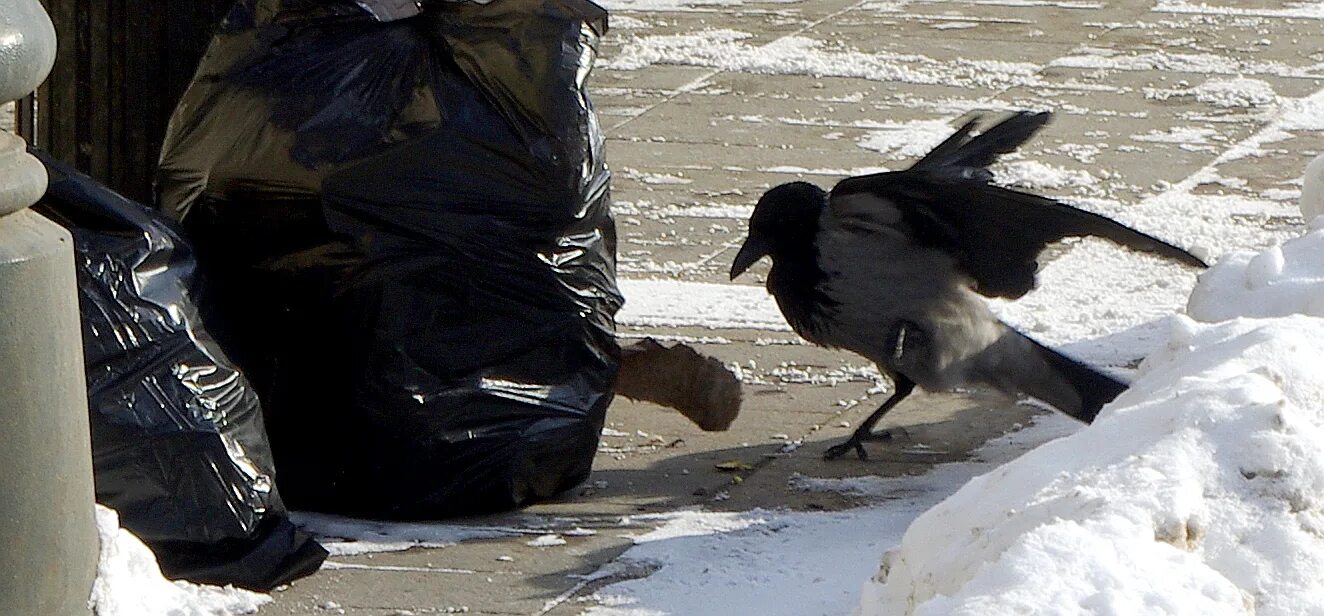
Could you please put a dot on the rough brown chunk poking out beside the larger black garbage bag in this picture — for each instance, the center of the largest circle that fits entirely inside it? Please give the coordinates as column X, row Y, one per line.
column 681, row 378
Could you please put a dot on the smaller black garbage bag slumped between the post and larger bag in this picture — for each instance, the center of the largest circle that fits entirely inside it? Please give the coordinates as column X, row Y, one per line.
column 179, row 447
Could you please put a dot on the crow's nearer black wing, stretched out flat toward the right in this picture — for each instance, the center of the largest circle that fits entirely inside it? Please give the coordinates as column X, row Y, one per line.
column 995, row 234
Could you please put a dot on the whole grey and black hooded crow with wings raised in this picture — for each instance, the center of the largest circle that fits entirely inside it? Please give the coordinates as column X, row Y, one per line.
column 896, row 267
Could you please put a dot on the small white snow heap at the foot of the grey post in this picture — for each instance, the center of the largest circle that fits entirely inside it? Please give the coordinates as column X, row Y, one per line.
column 130, row 584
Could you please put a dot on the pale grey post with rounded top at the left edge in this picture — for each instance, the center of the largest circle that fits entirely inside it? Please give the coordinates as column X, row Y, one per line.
column 48, row 558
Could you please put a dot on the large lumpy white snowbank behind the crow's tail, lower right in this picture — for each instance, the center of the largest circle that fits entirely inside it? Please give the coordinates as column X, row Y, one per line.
column 1199, row 492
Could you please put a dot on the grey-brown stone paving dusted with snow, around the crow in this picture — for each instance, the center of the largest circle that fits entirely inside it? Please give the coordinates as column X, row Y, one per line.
column 709, row 103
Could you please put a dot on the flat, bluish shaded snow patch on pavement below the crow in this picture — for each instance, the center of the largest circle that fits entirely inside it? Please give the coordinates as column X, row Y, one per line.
column 787, row 562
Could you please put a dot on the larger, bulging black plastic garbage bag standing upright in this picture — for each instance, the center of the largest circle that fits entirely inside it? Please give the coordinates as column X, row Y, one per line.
column 408, row 231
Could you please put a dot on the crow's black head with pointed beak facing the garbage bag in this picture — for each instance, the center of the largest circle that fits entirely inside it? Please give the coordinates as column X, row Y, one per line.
column 784, row 223
